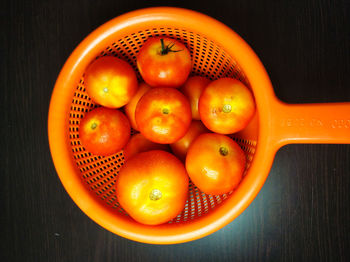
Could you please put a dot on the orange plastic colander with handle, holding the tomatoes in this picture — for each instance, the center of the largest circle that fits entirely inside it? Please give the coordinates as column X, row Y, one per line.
column 217, row 52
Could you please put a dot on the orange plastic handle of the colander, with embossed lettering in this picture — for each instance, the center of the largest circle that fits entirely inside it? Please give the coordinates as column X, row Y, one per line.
column 327, row 123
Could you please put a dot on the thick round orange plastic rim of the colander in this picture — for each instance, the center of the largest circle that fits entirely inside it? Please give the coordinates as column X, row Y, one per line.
column 61, row 100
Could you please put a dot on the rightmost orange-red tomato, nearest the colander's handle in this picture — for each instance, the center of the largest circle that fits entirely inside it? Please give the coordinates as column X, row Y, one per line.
column 226, row 106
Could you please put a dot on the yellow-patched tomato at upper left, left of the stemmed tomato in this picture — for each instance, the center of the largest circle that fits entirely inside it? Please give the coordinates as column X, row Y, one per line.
column 110, row 82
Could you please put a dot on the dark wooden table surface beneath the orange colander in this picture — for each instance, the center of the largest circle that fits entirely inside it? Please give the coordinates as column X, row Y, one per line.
column 301, row 214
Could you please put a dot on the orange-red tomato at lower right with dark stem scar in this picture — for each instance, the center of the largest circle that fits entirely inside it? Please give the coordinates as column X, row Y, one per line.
column 215, row 163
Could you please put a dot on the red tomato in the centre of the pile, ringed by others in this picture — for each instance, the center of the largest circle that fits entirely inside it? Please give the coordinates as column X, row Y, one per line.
column 163, row 115
